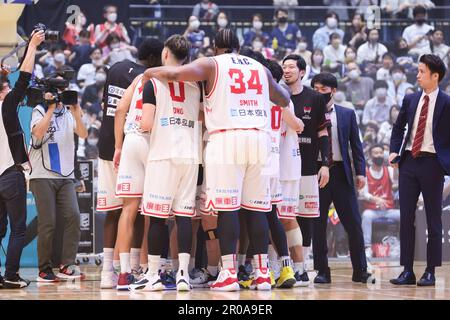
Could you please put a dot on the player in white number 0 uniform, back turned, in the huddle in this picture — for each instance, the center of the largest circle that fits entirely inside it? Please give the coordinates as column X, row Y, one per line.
column 171, row 111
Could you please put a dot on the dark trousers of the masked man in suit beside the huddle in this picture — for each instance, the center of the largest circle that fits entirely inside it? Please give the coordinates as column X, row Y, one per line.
column 343, row 196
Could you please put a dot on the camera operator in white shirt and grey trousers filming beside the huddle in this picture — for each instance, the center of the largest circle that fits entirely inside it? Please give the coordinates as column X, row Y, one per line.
column 51, row 180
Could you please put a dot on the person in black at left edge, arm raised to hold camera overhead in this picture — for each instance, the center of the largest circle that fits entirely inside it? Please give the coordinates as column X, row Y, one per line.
column 13, row 155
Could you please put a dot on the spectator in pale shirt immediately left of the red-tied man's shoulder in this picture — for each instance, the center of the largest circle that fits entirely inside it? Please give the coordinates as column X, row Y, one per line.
column 377, row 108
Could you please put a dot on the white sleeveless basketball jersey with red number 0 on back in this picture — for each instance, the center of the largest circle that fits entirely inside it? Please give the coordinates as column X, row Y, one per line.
column 176, row 132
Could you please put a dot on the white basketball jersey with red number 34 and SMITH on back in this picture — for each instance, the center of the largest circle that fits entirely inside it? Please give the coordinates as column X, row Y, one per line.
column 239, row 98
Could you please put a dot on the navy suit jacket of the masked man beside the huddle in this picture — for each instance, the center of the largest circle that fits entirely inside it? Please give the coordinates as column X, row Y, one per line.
column 348, row 135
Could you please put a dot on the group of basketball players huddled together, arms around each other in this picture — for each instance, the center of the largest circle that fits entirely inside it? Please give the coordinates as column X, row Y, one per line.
column 216, row 144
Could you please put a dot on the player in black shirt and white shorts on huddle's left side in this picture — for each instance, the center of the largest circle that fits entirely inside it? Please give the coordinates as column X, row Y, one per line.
column 120, row 76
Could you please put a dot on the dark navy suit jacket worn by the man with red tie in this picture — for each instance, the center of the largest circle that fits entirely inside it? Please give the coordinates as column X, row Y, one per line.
column 441, row 127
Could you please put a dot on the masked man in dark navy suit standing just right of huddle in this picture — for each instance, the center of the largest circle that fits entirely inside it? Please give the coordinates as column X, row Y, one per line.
column 340, row 190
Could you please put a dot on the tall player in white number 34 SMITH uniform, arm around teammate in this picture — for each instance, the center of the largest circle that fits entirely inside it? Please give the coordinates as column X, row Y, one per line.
column 237, row 95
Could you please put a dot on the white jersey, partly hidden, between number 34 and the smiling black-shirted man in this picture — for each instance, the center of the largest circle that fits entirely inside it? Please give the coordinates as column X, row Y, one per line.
column 290, row 160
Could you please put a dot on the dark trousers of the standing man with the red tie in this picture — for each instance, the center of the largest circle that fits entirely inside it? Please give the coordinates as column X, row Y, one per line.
column 421, row 175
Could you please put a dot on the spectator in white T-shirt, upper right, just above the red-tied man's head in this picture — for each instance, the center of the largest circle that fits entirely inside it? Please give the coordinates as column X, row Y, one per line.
column 416, row 35
